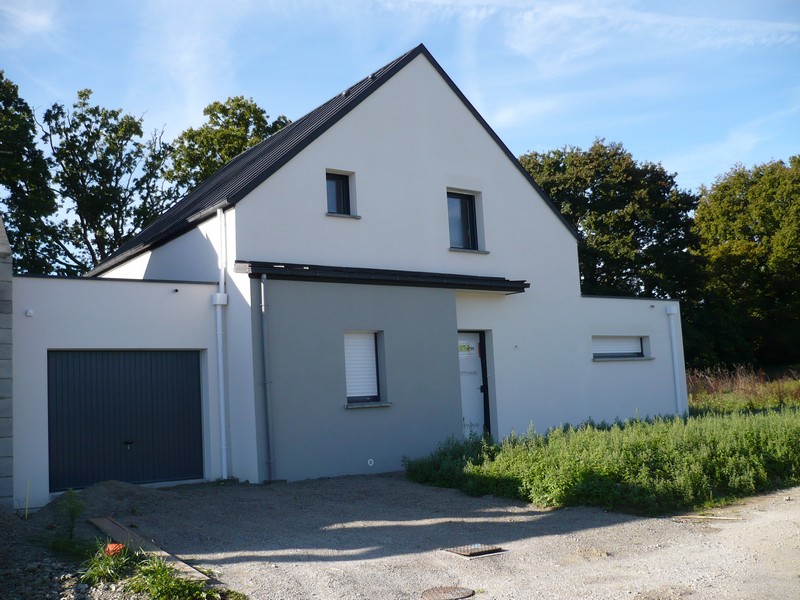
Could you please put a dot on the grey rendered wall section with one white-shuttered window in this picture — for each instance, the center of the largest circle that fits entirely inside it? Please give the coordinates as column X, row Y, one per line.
column 315, row 434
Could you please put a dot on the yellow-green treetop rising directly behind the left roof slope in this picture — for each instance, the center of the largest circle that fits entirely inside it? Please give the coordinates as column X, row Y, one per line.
column 232, row 127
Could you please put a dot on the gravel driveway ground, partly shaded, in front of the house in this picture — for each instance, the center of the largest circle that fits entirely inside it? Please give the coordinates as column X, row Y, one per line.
column 382, row 537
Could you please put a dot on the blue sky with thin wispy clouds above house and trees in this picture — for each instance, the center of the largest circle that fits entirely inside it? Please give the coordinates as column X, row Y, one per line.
column 695, row 85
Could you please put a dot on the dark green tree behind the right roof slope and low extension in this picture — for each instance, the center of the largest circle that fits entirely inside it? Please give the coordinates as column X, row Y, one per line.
column 633, row 221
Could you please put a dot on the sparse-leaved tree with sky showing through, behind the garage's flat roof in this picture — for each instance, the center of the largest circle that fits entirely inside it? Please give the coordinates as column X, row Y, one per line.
column 107, row 179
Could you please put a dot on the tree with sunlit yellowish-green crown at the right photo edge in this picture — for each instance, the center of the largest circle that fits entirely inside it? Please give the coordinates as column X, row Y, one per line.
column 748, row 223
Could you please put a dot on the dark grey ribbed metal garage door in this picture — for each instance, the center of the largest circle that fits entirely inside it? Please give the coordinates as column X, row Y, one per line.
column 128, row 415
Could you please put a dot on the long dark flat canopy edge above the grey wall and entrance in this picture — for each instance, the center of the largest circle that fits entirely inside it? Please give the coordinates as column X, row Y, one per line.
column 365, row 276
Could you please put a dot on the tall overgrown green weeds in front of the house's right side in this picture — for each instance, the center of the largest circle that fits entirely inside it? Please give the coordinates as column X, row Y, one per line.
column 726, row 450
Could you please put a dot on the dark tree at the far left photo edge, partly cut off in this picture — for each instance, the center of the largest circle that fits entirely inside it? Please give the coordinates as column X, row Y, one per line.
column 25, row 195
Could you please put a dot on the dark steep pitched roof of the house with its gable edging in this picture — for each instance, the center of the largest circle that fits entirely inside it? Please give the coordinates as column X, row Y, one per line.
column 251, row 168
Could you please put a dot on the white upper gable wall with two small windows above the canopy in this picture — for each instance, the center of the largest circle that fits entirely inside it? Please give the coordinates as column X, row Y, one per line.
column 407, row 144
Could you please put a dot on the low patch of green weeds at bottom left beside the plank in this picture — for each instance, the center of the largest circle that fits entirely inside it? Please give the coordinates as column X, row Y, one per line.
column 147, row 574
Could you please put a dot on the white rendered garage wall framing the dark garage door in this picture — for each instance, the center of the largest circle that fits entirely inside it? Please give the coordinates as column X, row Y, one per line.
column 74, row 314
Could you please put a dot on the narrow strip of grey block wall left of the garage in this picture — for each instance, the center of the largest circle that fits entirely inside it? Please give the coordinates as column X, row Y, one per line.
column 6, row 418
